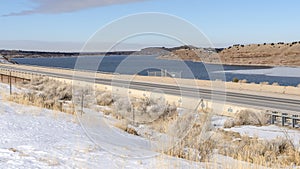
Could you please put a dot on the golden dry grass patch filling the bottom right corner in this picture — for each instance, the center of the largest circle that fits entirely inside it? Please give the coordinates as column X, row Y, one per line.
column 279, row 152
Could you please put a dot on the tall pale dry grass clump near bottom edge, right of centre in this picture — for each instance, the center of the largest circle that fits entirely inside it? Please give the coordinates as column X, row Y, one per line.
column 197, row 142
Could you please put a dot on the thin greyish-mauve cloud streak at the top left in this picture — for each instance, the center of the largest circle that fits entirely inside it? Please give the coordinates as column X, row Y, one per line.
column 65, row 6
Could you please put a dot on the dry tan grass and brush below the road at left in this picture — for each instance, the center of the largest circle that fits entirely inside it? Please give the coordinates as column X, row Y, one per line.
column 46, row 93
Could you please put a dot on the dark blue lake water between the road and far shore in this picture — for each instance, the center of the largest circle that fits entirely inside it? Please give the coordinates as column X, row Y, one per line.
column 142, row 65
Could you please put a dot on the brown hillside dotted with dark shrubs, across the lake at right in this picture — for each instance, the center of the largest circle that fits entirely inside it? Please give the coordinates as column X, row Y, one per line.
column 279, row 54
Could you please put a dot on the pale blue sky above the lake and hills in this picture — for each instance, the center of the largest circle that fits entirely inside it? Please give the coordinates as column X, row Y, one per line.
column 67, row 25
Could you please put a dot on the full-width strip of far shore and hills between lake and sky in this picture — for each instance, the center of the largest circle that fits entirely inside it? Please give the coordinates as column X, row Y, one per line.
column 269, row 55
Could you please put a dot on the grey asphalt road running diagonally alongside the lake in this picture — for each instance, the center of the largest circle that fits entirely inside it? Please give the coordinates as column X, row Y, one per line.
column 236, row 98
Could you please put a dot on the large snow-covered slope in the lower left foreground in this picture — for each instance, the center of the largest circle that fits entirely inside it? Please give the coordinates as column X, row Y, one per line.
column 33, row 137
